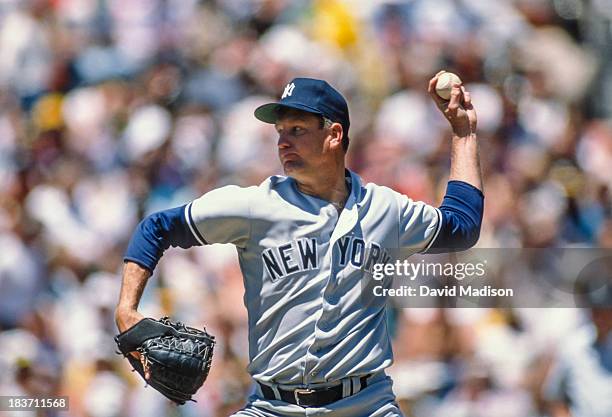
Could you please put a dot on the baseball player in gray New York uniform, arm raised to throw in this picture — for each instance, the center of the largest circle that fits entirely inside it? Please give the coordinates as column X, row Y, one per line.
column 303, row 241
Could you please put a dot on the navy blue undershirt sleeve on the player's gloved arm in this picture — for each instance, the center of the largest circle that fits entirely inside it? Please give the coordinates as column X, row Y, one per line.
column 156, row 233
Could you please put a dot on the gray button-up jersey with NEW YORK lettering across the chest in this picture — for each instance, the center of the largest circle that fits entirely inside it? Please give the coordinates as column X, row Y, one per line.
column 302, row 264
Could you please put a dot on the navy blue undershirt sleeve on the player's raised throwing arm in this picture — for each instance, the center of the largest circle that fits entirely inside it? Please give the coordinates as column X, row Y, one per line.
column 461, row 210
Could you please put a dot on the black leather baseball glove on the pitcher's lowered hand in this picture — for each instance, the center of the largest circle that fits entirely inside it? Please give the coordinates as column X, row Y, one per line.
column 175, row 359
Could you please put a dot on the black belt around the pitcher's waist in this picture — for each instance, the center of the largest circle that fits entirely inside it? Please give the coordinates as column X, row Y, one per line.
column 305, row 397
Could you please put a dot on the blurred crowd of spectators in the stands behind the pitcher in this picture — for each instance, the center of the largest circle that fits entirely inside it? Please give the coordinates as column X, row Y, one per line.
column 113, row 109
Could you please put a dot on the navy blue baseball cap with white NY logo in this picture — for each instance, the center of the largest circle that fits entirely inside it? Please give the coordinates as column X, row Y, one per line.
column 311, row 95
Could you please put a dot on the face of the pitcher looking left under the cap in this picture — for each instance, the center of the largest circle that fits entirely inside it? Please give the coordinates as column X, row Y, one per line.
column 303, row 146
